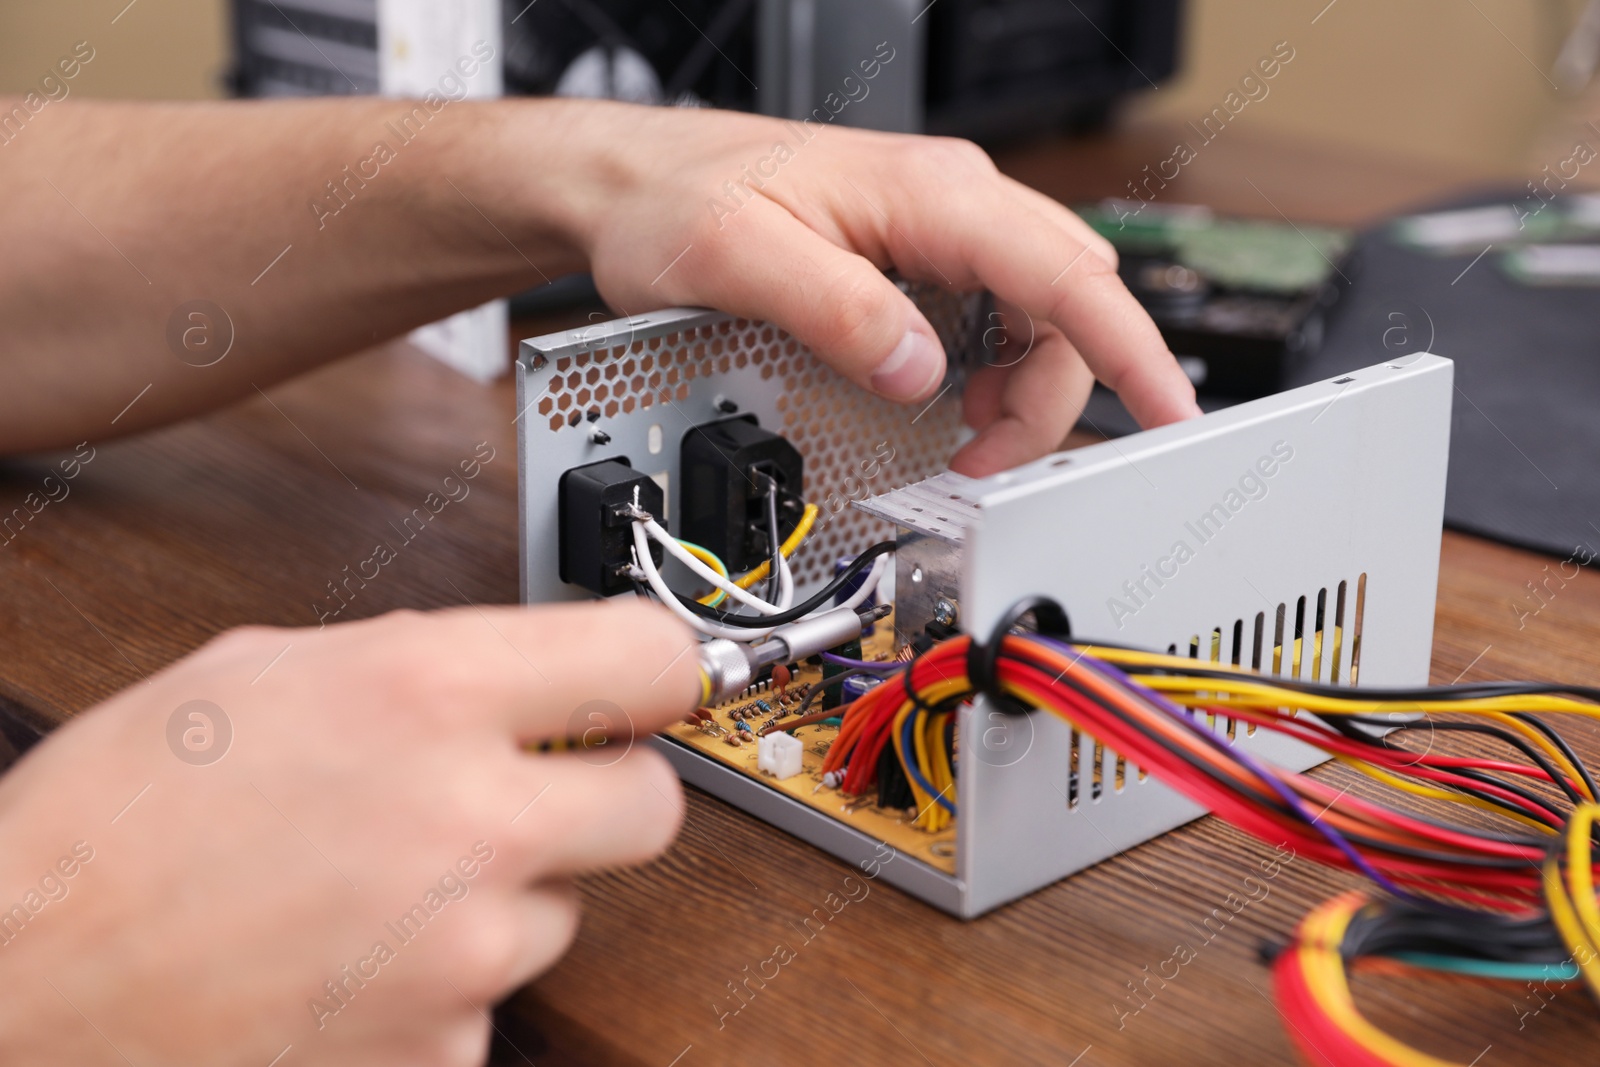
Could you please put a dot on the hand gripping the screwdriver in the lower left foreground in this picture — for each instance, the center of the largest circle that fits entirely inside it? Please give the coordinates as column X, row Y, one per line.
column 354, row 857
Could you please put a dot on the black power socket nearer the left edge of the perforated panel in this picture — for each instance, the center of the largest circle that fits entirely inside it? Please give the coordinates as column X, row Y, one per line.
column 596, row 524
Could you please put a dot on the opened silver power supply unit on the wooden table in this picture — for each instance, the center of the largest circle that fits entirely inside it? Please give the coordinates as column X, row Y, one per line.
column 1297, row 535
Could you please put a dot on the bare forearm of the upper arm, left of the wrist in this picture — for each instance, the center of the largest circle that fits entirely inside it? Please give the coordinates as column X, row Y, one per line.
column 318, row 228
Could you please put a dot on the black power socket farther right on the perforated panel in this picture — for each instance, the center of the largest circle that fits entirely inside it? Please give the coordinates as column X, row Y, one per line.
column 726, row 471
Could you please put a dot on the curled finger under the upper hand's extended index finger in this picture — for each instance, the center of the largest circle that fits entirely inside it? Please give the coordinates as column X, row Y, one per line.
column 1038, row 404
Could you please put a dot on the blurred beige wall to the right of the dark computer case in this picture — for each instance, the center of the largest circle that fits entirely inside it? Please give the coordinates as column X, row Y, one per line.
column 1449, row 81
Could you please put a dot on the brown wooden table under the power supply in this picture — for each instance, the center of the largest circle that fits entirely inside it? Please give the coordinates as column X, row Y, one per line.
column 249, row 514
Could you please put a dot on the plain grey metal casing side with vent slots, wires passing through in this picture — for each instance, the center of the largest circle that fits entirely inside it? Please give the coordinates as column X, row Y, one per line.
column 1321, row 502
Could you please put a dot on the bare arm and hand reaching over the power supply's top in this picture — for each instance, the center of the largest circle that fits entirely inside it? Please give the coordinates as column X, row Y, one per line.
column 321, row 228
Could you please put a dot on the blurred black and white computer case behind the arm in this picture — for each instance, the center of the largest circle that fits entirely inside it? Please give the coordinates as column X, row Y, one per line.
column 982, row 70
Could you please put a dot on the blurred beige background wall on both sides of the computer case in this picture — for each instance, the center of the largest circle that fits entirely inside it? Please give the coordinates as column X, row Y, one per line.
column 1446, row 81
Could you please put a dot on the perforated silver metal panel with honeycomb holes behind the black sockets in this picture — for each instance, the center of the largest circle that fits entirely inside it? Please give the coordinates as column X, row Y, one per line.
column 670, row 370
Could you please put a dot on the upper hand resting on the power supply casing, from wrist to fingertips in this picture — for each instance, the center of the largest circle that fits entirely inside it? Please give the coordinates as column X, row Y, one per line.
column 794, row 223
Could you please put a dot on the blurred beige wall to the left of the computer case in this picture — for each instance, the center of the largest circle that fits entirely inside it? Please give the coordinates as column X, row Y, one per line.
column 156, row 49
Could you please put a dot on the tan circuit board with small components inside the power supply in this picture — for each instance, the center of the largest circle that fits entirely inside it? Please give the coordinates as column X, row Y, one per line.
column 887, row 825
